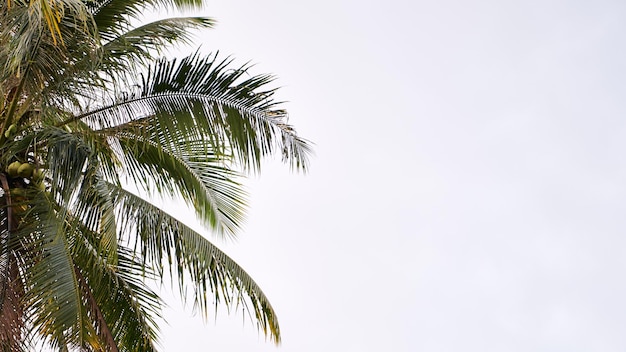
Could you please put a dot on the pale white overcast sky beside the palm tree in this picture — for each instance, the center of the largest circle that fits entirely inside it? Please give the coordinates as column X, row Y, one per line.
column 468, row 189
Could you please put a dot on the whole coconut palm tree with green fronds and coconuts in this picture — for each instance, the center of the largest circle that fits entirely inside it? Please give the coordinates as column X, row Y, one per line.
column 87, row 109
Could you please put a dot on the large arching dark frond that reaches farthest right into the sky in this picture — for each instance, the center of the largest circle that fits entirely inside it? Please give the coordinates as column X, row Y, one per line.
column 205, row 94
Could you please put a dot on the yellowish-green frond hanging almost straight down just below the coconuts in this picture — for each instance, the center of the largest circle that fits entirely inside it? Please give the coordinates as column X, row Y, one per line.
column 53, row 301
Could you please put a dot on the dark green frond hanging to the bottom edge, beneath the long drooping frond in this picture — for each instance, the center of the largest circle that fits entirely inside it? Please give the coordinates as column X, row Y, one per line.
column 120, row 305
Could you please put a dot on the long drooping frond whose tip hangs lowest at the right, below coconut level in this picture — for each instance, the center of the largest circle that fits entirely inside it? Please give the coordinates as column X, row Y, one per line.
column 165, row 240
